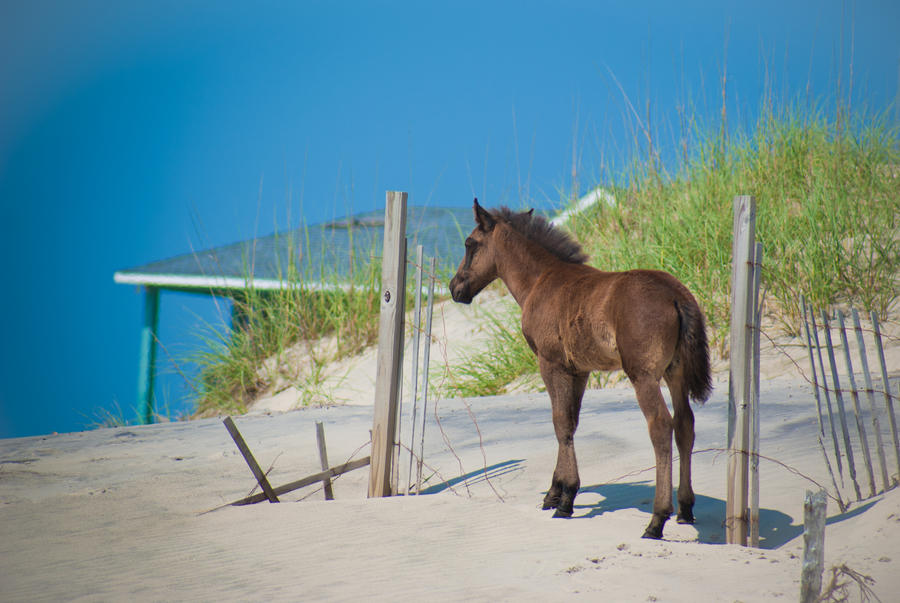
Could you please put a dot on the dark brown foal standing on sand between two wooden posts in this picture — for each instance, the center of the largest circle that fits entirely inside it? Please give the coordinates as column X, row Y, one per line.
column 578, row 319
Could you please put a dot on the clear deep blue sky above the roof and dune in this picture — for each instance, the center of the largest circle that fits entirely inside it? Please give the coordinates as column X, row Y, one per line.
column 131, row 132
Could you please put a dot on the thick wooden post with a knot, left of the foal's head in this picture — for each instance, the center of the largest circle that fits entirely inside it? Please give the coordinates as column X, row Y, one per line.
column 390, row 340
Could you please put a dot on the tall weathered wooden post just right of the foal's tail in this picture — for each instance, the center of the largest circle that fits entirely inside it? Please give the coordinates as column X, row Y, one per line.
column 739, row 371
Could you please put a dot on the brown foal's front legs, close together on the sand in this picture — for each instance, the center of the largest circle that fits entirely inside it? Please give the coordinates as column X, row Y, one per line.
column 566, row 388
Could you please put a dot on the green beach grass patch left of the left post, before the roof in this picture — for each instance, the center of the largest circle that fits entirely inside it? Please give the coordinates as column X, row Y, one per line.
column 249, row 352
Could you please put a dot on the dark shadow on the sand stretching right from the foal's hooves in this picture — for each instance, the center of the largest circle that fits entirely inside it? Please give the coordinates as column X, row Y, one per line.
column 775, row 528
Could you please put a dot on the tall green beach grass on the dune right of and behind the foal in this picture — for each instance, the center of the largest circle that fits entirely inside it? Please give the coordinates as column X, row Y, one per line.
column 827, row 187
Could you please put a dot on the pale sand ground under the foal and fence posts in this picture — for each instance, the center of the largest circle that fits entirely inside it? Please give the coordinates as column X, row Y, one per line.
column 118, row 514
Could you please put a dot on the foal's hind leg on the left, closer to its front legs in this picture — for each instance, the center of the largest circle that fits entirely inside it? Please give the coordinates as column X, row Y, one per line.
column 659, row 424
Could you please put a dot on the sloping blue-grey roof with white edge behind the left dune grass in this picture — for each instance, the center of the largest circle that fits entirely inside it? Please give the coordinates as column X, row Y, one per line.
column 322, row 255
